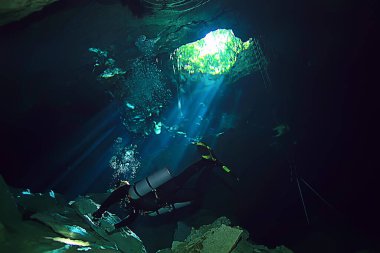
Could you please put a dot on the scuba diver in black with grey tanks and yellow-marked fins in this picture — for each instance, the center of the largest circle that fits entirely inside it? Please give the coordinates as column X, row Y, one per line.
column 161, row 193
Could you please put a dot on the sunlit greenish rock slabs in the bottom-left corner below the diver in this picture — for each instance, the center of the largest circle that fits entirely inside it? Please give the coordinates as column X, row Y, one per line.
column 46, row 223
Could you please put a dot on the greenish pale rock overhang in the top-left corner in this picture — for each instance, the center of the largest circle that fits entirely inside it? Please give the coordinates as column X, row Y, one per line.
column 13, row 10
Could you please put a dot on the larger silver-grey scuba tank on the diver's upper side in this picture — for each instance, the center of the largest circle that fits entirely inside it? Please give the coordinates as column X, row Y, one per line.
column 149, row 183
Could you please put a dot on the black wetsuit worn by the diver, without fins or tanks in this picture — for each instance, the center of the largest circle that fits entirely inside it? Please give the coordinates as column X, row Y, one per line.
column 169, row 193
